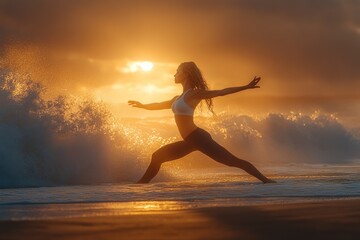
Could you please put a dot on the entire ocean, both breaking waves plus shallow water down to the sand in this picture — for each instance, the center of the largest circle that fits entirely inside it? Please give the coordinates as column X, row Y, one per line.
column 70, row 156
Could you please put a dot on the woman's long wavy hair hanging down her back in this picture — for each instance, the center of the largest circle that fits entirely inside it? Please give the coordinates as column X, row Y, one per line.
column 197, row 80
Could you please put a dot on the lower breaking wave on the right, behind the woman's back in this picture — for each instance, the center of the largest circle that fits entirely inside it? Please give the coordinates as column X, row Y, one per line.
column 292, row 137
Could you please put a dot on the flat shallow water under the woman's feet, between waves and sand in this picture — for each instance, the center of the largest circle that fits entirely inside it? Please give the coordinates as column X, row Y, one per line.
column 193, row 189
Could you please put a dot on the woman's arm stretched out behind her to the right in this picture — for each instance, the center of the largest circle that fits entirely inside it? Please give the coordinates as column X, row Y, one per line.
column 204, row 94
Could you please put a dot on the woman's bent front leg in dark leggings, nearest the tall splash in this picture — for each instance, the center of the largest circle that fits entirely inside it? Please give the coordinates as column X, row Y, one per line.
column 166, row 153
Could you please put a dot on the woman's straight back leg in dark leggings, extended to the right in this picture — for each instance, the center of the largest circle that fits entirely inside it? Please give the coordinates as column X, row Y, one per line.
column 208, row 146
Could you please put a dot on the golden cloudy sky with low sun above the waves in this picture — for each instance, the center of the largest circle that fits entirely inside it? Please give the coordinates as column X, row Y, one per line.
column 306, row 51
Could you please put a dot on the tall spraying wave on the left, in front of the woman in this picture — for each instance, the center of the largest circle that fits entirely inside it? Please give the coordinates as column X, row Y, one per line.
column 64, row 140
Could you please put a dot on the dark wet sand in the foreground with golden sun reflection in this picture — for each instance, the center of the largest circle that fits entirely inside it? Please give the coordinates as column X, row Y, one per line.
column 331, row 219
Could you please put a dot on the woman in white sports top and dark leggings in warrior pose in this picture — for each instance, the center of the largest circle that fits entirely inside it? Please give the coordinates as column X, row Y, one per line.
column 194, row 90
